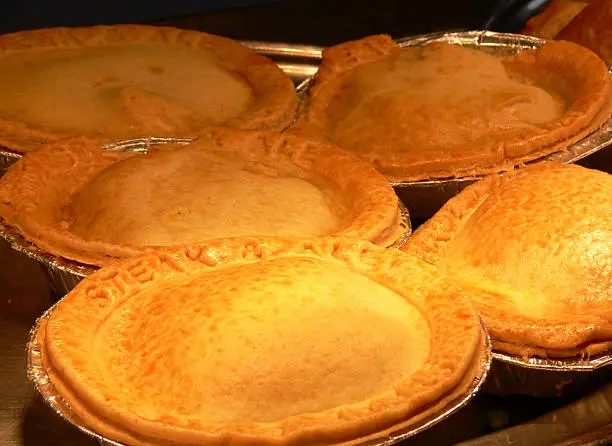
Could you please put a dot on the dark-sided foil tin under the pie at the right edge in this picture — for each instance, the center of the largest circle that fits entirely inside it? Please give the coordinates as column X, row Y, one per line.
column 542, row 377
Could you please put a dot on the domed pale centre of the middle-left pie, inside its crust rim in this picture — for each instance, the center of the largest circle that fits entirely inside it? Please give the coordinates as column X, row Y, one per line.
column 188, row 195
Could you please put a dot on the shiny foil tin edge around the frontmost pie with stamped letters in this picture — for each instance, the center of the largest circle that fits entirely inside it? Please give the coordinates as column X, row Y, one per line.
column 39, row 377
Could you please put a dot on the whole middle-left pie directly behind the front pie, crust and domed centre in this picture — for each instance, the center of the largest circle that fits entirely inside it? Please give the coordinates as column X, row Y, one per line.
column 84, row 203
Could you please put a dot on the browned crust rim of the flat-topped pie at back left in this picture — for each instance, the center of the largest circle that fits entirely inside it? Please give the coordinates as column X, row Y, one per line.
column 275, row 98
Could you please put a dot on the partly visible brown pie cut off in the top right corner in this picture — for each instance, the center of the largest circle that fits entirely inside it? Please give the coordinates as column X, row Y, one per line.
column 588, row 23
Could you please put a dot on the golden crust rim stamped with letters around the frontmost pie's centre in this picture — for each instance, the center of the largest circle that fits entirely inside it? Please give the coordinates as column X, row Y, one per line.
column 457, row 344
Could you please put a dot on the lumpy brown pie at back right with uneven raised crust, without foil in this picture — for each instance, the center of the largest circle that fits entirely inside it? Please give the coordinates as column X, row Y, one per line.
column 443, row 111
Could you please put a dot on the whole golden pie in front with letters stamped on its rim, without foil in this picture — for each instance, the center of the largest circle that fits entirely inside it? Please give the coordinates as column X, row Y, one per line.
column 267, row 342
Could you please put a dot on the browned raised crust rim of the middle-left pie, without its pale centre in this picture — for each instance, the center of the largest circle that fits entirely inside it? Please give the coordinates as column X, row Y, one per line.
column 34, row 191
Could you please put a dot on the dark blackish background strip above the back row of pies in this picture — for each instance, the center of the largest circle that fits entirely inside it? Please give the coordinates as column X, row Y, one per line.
column 318, row 22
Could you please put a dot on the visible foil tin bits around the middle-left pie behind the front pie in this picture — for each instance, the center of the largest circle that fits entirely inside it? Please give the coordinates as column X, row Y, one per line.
column 64, row 273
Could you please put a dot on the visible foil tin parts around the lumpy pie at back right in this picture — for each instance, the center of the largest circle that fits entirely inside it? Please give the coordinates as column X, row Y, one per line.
column 425, row 197
